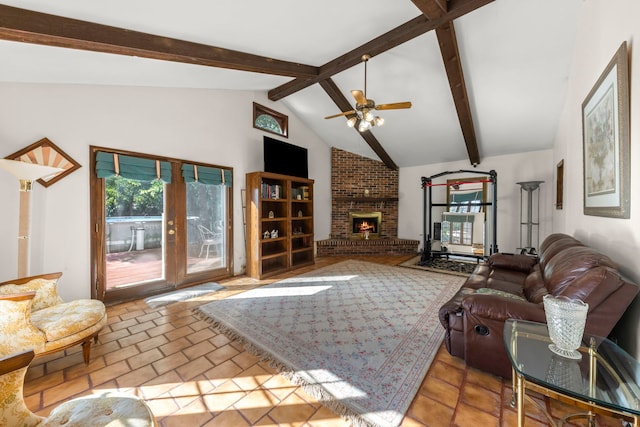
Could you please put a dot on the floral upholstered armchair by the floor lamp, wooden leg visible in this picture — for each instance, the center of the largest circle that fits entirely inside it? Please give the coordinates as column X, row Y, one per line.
column 34, row 317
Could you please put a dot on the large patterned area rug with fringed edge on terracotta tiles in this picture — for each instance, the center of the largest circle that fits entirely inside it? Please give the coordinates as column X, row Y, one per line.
column 358, row 336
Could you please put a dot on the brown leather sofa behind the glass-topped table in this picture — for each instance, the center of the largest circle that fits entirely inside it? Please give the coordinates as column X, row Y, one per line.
column 513, row 286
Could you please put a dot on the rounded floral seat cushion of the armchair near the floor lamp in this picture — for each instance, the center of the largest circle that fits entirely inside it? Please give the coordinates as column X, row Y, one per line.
column 69, row 318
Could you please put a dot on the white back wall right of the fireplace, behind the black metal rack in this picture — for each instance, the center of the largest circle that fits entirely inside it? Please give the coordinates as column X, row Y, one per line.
column 532, row 166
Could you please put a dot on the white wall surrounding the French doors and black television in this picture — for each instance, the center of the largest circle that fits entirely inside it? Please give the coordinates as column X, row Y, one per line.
column 201, row 125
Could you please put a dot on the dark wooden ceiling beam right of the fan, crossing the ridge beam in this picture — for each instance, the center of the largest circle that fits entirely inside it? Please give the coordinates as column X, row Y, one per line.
column 448, row 43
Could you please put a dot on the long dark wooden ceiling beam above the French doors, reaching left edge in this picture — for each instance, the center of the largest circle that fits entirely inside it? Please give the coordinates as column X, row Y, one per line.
column 27, row 26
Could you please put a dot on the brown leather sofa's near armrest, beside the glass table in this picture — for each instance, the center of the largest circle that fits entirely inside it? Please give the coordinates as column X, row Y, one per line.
column 501, row 308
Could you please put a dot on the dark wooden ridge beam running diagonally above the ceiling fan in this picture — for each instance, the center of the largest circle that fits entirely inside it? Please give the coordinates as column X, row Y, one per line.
column 383, row 43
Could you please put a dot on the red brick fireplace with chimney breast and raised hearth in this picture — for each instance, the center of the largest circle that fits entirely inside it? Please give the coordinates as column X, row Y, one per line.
column 362, row 185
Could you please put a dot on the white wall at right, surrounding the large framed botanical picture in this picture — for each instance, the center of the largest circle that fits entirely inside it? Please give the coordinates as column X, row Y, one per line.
column 603, row 26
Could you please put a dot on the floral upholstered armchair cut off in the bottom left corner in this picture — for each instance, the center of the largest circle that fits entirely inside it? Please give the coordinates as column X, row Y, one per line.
column 104, row 409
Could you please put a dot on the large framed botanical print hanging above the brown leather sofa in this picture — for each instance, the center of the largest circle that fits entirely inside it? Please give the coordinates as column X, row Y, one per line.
column 605, row 140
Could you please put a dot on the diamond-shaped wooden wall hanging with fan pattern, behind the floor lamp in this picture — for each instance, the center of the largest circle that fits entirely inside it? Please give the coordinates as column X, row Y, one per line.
column 46, row 153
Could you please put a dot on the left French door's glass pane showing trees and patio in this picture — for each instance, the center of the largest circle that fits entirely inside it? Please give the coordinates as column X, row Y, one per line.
column 134, row 225
